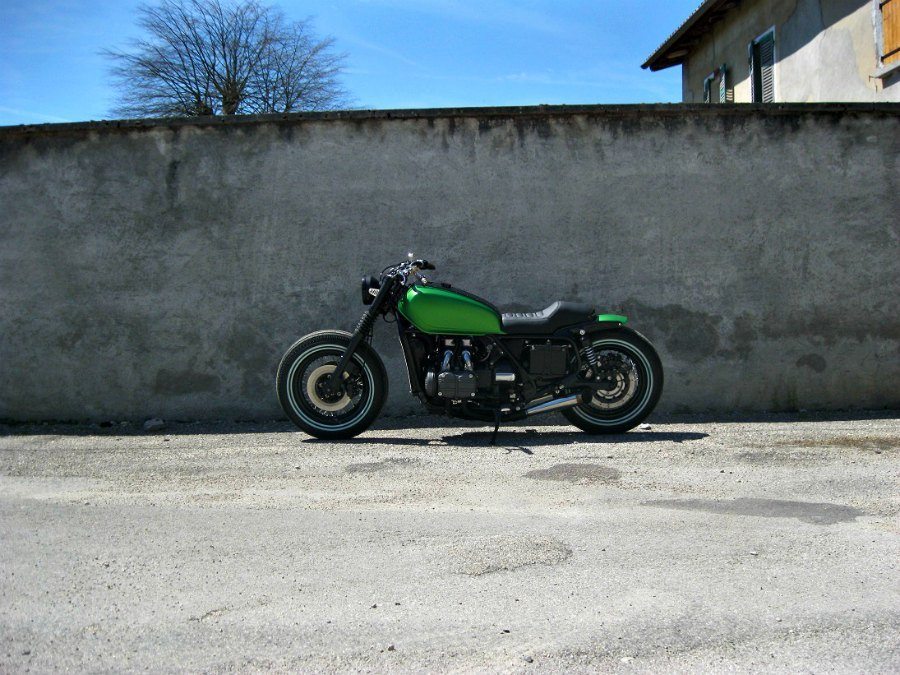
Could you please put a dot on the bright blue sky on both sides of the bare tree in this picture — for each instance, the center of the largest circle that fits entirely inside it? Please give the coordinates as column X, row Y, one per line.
column 400, row 53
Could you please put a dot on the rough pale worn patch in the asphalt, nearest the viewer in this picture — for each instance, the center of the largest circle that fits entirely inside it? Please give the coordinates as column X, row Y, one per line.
column 484, row 555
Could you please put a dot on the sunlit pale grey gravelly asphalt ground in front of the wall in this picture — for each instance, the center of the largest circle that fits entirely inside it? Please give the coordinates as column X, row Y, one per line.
column 741, row 545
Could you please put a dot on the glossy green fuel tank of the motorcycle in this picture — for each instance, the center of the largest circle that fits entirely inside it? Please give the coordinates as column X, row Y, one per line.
column 435, row 309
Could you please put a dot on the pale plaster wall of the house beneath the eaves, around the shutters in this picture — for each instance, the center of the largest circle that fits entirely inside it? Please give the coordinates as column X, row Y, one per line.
column 825, row 50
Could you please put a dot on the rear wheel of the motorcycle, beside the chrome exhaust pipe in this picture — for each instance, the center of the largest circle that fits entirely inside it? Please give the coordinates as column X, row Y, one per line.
column 630, row 376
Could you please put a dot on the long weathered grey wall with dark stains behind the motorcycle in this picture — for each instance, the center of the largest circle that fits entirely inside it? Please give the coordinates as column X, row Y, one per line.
column 163, row 268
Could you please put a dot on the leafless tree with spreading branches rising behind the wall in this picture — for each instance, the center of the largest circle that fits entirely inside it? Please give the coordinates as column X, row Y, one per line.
column 214, row 57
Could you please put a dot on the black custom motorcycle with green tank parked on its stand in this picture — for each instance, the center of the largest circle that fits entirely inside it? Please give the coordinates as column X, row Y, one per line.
column 466, row 359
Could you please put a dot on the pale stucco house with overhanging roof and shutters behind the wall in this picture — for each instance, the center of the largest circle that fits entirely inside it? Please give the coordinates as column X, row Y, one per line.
column 786, row 50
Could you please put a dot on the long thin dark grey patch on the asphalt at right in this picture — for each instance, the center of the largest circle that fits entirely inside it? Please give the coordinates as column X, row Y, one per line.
column 818, row 513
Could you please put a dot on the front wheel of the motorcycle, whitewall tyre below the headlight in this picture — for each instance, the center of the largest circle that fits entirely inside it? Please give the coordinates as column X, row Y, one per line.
column 301, row 377
